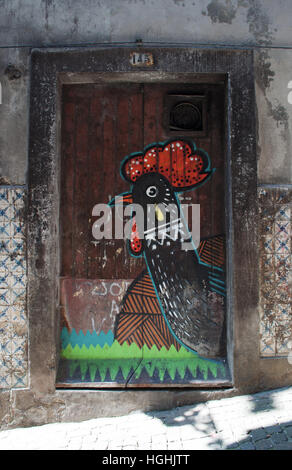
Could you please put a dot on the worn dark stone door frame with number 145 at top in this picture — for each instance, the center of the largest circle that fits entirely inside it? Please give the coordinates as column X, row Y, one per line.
column 49, row 70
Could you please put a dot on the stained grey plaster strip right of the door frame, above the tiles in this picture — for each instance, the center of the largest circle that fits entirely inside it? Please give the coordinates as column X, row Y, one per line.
column 273, row 74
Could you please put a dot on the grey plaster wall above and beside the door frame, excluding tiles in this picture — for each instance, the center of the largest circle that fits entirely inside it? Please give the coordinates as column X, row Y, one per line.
column 27, row 24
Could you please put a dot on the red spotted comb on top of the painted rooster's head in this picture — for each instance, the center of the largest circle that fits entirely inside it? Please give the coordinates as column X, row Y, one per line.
column 177, row 160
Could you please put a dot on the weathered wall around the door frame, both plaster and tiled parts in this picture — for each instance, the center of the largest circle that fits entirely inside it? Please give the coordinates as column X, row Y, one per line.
column 265, row 26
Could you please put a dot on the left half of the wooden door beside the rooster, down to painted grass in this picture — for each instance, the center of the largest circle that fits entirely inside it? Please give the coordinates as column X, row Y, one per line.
column 100, row 125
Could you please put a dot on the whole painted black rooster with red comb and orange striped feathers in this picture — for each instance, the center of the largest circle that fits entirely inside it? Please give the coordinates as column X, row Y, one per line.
column 179, row 299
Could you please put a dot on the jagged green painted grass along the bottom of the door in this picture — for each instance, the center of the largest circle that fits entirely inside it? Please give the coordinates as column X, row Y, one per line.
column 112, row 359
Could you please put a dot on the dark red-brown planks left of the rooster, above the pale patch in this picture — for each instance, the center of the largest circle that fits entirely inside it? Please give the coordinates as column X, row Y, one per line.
column 105, row 127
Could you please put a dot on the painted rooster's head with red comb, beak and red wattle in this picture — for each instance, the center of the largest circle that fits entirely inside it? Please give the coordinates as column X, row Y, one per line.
column 157, row 174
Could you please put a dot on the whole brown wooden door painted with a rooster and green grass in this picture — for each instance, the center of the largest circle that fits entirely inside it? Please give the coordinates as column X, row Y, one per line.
column 115, row 328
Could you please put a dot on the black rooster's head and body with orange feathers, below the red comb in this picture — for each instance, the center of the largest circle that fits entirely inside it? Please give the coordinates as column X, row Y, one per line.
column 179, row 299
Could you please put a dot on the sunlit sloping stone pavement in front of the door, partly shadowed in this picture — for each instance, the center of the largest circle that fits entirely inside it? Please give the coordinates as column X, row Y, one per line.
column 250, row 422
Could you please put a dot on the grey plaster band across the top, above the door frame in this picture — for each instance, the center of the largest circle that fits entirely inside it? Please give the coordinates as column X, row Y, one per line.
column 201, row 21
